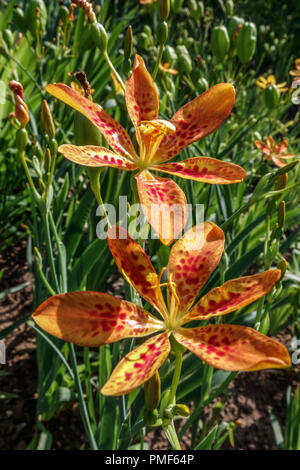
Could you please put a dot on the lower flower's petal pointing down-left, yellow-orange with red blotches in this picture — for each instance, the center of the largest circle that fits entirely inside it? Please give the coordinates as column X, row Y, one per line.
column 138, row 366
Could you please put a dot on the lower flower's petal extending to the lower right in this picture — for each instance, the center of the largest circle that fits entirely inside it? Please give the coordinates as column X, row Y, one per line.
column 234, row 347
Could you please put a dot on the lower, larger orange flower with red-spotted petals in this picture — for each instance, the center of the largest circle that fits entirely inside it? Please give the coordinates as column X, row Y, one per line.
column 93, row 318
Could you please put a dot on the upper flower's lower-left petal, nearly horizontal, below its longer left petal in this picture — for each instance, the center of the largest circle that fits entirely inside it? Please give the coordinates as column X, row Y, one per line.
column 93, row 156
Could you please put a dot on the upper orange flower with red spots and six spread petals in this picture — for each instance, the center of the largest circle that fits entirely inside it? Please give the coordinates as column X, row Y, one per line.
column 158, row 141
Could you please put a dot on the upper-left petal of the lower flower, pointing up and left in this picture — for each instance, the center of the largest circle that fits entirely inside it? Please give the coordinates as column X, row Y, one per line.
column 135, row 265
